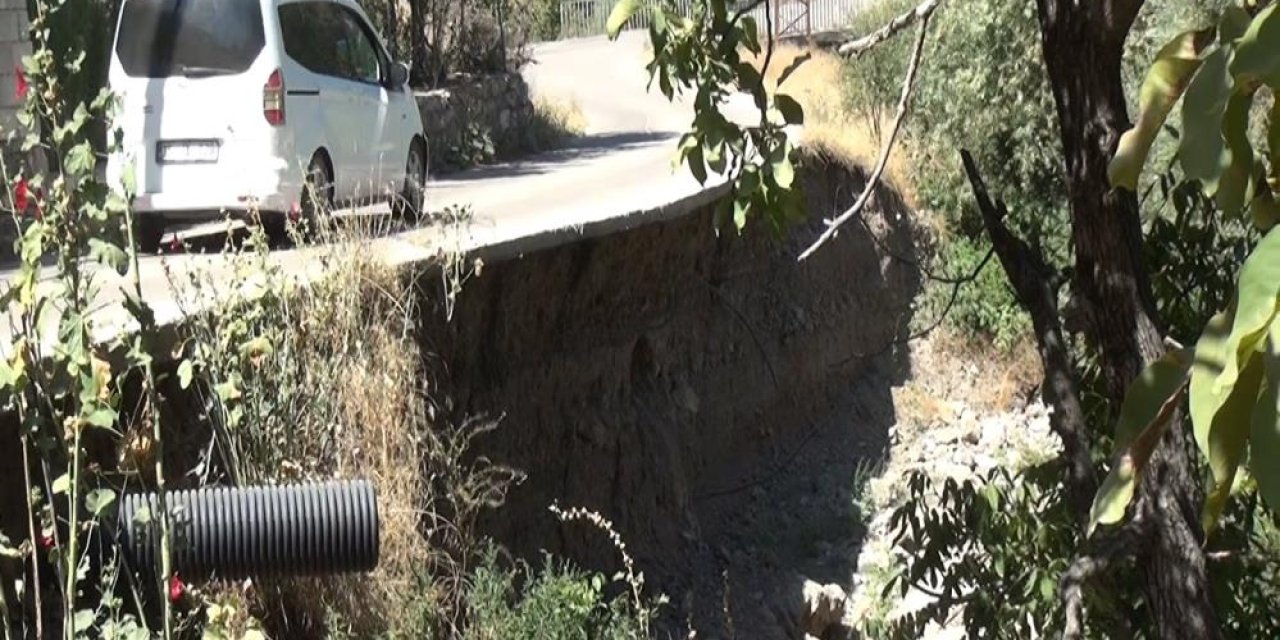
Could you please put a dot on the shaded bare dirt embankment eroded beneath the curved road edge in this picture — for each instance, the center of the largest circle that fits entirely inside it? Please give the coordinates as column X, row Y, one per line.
column 710, row 395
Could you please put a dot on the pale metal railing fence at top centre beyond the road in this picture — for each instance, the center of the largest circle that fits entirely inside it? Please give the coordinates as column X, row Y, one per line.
column 579, row 19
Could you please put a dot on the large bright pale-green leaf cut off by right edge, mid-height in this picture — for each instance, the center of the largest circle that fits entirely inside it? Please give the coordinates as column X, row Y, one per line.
column 1256, row 307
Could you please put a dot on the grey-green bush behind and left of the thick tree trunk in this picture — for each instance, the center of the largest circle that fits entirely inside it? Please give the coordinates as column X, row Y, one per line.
column 982, row 88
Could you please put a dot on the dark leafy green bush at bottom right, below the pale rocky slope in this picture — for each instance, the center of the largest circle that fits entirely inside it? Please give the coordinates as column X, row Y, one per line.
column 998, row 546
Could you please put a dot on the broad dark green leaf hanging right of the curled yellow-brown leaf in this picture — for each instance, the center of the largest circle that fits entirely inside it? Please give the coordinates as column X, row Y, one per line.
column 1201, row 148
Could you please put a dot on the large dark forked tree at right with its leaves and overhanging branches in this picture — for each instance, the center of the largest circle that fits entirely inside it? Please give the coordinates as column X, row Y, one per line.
column 1113, row 301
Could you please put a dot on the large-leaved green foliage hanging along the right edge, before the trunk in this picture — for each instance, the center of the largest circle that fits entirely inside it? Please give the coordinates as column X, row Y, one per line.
column 1233, row 376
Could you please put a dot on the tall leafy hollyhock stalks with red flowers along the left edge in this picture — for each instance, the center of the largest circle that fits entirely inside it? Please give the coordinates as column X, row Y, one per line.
column 65, row 376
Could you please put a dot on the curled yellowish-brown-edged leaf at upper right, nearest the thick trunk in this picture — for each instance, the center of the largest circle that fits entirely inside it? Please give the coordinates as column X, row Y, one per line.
column 1163, row 88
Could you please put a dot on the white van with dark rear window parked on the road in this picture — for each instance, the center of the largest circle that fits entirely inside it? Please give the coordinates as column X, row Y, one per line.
column 281, row 107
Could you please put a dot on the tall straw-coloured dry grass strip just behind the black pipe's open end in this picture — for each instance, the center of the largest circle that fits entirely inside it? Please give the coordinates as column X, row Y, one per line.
column 381, row 417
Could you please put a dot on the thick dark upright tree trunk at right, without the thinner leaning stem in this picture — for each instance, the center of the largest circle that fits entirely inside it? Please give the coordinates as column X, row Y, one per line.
column 1084, row 45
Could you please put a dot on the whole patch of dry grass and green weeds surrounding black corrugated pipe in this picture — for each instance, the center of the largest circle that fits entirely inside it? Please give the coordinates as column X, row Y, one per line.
column 339, row 397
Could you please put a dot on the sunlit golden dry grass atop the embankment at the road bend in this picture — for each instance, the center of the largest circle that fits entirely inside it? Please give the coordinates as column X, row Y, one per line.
column 830, row 126
